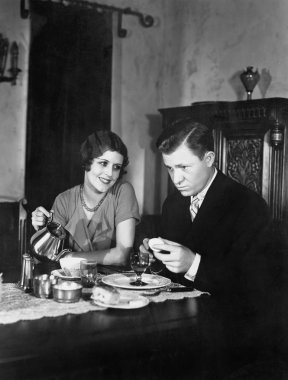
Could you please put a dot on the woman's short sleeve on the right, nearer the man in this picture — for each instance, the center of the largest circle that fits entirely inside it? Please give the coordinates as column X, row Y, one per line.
column 126, row 203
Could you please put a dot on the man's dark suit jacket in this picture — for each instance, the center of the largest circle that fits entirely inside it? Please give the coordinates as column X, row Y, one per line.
column 230, row 232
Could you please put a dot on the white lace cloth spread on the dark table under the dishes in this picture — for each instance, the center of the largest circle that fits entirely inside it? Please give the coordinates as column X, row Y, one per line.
column 17, row 305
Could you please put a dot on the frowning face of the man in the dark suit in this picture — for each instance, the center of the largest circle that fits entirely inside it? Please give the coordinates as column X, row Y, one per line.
column 188, row 173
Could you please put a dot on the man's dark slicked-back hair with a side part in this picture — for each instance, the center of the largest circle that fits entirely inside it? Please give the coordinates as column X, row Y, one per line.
column 195, row 136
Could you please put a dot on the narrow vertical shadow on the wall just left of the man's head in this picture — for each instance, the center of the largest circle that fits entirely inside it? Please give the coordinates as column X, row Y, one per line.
column 153, row 166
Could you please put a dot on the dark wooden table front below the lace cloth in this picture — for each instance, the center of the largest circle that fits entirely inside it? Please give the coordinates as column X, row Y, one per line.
column 110, row 344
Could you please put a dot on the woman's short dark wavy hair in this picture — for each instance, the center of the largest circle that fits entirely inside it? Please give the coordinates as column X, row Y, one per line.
column 97, row 144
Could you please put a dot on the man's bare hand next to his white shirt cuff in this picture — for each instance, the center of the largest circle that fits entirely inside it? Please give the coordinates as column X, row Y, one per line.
column 180, row 258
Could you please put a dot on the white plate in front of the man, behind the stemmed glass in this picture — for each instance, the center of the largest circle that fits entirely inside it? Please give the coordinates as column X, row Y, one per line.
column 123, row 281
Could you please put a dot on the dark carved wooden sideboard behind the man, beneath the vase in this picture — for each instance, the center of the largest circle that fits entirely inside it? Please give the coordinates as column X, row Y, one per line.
column 251, row 143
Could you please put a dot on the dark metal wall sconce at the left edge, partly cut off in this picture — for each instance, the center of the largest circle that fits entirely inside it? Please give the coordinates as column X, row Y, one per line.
column 14, row 52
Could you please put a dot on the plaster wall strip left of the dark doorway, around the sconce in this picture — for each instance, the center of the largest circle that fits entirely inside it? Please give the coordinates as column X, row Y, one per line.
column 13, row 105
